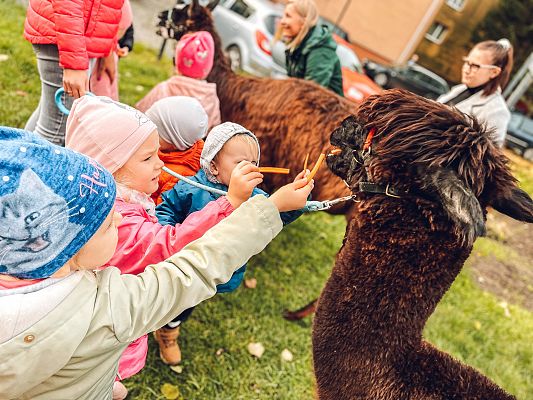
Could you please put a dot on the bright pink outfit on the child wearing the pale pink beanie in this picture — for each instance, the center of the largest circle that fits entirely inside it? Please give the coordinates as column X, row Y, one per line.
column 143, row 241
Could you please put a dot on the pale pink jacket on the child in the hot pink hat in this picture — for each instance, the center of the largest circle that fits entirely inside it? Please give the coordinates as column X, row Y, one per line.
column 178, row 85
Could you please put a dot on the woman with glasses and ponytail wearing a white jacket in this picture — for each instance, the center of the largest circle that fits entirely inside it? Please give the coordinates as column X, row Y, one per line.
column 485, row 72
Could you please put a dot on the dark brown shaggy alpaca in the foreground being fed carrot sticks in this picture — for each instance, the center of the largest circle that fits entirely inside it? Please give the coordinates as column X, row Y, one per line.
column 401, row 254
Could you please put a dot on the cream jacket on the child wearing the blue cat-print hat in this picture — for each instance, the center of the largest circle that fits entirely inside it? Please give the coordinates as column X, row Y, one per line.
column 61, row 339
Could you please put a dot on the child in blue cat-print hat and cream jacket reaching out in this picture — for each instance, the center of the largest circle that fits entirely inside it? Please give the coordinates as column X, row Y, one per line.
column 64, row 323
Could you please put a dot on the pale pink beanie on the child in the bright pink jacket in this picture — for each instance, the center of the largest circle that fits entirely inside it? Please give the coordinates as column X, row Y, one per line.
column 106, row 130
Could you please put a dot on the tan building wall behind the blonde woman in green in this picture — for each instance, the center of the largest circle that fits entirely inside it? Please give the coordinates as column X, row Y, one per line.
column 386, row 30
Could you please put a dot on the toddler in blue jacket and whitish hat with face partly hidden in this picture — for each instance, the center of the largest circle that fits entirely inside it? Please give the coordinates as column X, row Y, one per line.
column 225, row 146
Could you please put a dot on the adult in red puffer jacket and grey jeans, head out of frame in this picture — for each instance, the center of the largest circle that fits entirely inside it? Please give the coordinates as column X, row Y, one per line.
column 66, row 36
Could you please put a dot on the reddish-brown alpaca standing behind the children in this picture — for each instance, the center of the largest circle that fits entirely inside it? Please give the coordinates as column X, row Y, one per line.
column 290, row 117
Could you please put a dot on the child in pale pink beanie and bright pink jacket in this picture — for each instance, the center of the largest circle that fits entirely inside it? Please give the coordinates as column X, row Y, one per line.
column 126, row 142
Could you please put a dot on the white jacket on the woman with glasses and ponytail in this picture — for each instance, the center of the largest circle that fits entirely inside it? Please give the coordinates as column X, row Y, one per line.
column 490, row 109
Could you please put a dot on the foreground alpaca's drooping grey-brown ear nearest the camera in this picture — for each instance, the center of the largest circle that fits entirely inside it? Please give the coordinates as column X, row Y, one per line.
column 458, row 201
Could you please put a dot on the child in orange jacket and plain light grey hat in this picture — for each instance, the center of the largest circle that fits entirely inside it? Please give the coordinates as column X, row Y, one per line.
column 181, row 123
